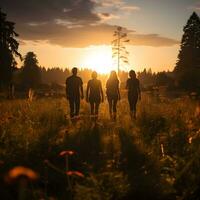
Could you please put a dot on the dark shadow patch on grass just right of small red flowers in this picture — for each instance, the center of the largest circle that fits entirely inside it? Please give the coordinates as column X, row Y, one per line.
column 87, row 145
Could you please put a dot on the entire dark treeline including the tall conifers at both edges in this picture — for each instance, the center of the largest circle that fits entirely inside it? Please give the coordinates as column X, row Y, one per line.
column 185, row 76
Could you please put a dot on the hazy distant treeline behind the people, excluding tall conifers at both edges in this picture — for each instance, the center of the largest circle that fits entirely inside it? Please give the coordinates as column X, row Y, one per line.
column 31, row 75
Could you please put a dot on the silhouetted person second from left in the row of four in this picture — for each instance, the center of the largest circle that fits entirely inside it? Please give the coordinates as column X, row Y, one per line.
column 94, row 94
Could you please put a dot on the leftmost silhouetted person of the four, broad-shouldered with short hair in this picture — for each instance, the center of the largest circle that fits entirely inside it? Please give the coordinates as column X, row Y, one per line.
column 74, row 91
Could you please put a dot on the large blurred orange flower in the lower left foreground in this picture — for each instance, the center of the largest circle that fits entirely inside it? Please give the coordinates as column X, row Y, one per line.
column 21, row 171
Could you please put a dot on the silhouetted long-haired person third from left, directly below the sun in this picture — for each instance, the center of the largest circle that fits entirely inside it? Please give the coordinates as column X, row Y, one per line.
column 113, row 94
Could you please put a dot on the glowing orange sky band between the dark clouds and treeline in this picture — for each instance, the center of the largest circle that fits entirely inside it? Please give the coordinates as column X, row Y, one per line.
column 158, row 59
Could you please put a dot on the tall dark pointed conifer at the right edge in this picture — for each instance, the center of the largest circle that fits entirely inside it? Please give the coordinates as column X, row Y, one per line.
column 187, row 69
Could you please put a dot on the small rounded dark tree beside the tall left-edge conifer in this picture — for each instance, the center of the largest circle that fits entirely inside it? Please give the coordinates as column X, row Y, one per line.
column 30, row 75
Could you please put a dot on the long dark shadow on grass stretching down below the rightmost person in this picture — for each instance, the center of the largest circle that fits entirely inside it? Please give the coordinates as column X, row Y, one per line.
column 143, row 172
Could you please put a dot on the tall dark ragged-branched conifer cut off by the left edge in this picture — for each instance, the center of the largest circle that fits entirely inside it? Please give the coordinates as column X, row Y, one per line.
column 8, row 49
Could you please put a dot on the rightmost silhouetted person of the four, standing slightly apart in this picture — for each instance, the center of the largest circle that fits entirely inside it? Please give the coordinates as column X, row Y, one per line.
column 133, row 87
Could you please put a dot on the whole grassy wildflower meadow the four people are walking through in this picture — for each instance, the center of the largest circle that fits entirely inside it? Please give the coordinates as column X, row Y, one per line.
column 156, row 156
